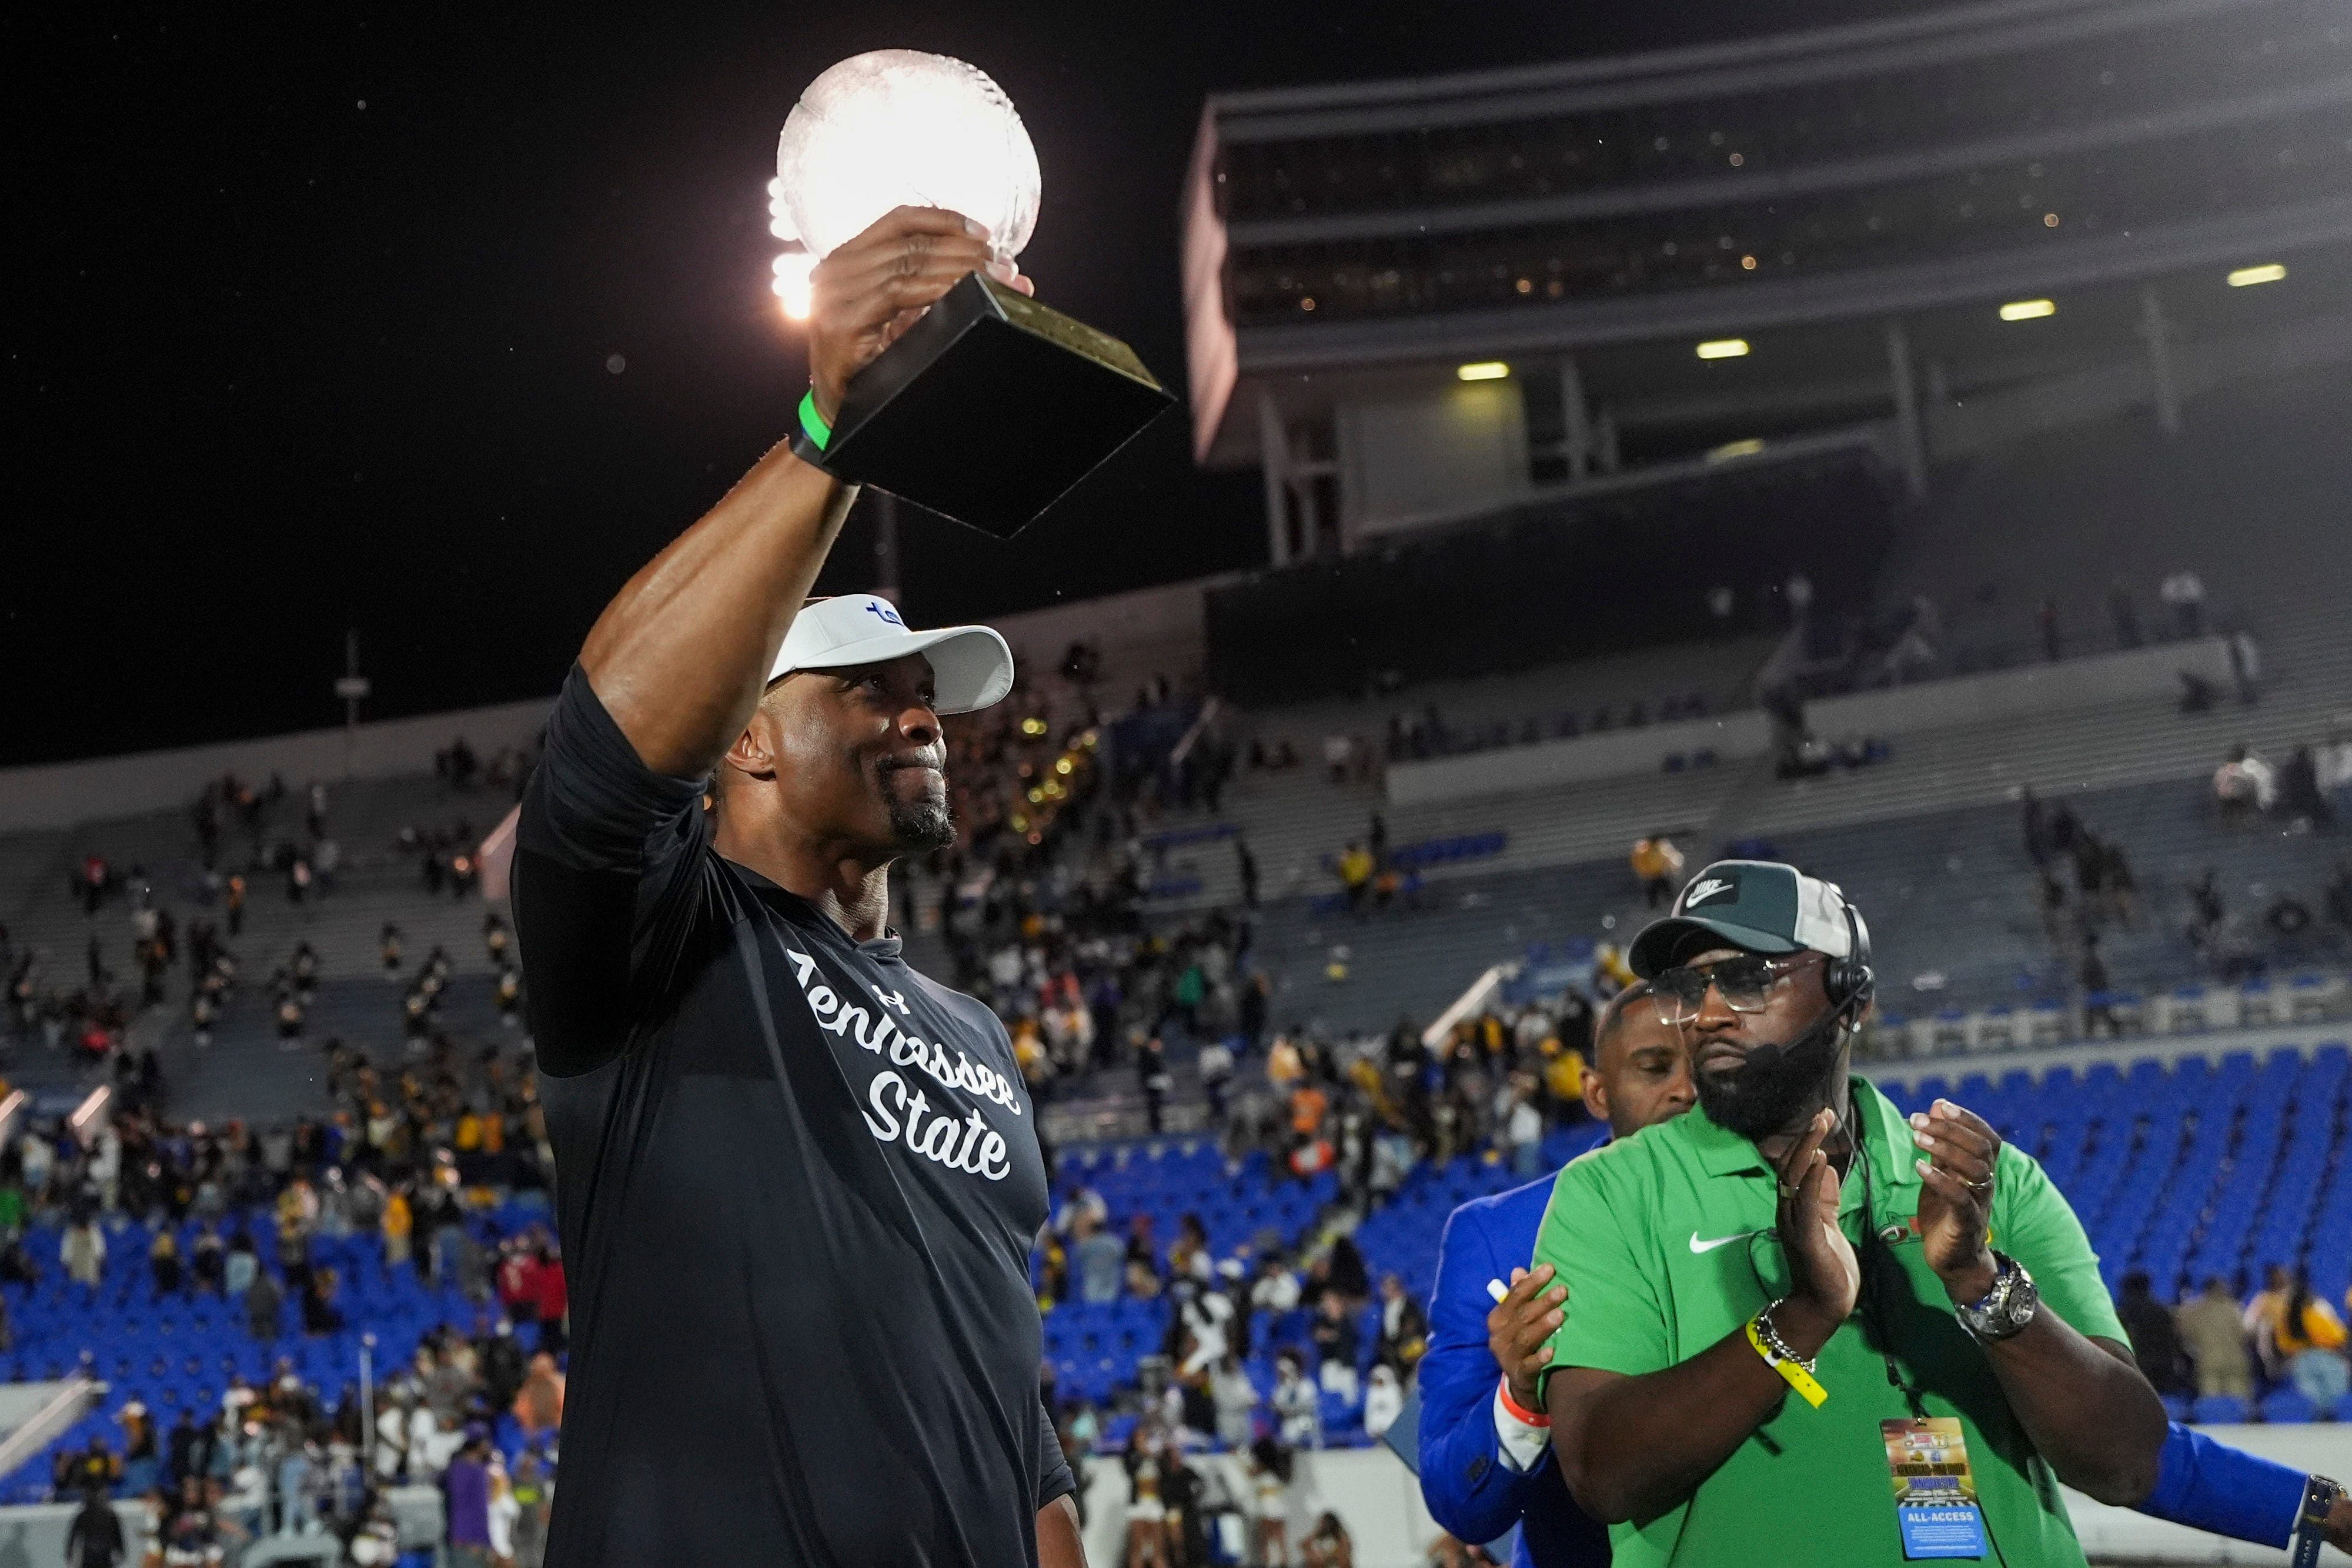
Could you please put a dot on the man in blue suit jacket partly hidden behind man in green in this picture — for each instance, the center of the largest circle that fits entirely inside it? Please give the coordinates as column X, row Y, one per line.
column 1485, row 1470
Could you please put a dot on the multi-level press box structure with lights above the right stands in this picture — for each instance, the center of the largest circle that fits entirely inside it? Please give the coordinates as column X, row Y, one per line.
column 1930, row 227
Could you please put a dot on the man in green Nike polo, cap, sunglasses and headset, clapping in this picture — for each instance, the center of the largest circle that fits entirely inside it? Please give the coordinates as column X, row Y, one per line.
column 1803, row 1329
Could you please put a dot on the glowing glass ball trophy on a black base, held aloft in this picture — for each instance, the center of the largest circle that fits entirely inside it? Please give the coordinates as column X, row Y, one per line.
column 991, row 406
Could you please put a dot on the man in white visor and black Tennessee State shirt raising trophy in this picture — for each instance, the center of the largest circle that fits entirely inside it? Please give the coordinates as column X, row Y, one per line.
column 799, row 1181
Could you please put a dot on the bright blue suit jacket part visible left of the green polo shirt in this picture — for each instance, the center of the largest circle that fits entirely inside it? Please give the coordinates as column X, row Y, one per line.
column 1464, row 1480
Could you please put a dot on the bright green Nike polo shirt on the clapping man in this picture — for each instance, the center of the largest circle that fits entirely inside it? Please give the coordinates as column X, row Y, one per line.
column 1666, row 1242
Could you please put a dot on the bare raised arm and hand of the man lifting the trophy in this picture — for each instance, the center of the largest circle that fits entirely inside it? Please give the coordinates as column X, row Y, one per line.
column 683, row 650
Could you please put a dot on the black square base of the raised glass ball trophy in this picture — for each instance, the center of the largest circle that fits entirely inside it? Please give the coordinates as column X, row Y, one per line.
column 991, row 408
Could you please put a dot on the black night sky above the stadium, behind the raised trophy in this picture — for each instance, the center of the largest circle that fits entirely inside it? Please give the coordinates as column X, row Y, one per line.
column 314, row 314
